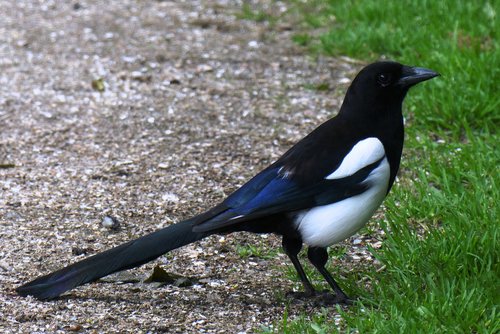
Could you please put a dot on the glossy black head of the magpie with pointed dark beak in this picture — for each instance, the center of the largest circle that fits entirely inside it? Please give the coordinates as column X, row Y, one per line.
column 385, row 84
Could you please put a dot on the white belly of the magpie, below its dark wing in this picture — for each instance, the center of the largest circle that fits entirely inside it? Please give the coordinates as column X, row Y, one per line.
column 326, row 225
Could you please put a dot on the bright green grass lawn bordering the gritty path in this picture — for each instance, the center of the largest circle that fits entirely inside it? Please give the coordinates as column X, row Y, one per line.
column 441, row 250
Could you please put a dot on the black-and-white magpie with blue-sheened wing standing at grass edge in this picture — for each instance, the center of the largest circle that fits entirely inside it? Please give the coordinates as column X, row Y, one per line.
column 318, row 193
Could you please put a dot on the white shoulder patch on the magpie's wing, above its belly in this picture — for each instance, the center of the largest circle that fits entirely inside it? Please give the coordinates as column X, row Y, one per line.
column 361, row 155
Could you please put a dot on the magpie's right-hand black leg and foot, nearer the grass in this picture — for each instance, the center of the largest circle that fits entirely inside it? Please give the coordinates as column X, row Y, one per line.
column 318, row 257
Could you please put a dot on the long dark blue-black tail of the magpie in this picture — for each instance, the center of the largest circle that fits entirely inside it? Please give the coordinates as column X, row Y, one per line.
column 129, row 255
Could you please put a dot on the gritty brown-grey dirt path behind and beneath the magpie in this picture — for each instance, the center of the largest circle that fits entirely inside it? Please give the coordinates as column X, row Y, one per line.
column 150, row 112
